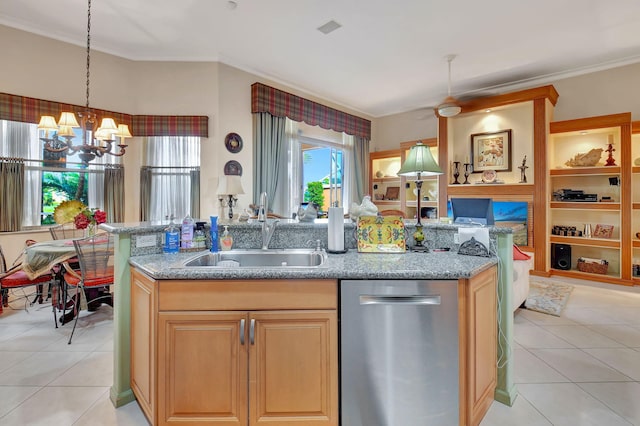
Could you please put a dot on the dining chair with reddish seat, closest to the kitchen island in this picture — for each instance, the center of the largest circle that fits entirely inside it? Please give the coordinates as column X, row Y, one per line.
column 95, row 255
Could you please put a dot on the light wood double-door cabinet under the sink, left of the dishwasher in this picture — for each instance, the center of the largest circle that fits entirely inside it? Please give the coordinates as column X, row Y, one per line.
column 222, row 359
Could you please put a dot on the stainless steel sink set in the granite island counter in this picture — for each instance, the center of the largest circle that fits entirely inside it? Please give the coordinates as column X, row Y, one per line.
column 285, row 258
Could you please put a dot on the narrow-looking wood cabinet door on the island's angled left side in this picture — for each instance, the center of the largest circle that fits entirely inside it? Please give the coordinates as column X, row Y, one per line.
column 143, row 302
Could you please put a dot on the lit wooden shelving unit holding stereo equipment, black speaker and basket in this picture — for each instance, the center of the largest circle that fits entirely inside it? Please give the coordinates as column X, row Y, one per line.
column 590, row 196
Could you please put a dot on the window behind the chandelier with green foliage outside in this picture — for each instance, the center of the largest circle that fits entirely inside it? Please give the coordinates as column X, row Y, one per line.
column 50, row 178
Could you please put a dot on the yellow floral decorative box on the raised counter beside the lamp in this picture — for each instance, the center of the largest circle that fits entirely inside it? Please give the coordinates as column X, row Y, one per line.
column 380, row 234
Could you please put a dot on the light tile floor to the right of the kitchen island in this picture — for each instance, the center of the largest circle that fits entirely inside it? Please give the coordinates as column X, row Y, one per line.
column 582, row 368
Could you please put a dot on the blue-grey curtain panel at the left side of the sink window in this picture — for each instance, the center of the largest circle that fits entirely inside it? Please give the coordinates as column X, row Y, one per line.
column 269, row 140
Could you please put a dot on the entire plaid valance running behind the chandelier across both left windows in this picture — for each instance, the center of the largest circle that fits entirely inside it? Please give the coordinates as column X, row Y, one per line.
column 29, row 110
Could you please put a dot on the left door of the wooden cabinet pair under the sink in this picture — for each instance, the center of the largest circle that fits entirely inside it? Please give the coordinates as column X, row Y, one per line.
column 202, row 368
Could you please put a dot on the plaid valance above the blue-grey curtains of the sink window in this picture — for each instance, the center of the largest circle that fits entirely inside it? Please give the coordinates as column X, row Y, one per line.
column 282, row 104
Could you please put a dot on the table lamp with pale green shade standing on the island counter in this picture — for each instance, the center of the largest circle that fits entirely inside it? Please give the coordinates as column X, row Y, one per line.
column 419, row 163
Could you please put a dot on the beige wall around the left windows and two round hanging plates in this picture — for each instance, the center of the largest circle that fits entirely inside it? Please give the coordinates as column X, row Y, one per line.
column 49, row 69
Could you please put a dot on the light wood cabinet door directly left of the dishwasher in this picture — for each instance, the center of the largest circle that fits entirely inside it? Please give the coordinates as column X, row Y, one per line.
column 293, row 368
